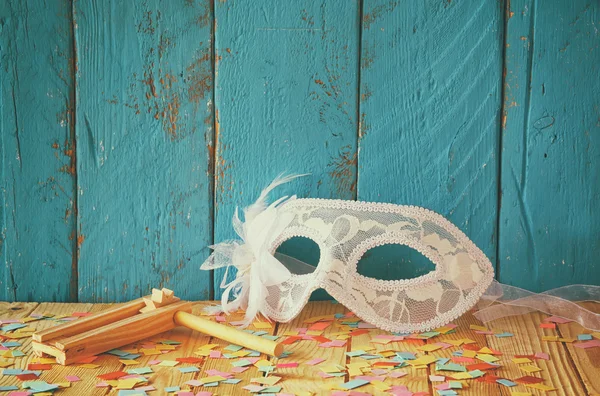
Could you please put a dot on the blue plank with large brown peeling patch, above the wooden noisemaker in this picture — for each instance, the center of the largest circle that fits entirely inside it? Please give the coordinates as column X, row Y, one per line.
column 144, row 127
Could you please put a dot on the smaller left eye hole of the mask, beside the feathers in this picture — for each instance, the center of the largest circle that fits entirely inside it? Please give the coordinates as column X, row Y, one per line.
column 299, row 254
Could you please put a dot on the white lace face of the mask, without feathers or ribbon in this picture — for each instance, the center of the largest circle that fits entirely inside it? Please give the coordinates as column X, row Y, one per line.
column 345, row 230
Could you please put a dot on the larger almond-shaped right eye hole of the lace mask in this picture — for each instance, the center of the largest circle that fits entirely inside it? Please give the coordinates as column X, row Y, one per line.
column 393, row 262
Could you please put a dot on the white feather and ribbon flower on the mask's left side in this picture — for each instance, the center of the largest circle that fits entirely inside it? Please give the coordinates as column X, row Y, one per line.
column 256, row 267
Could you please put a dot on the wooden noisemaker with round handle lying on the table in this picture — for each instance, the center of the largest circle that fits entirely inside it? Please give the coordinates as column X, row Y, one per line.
column 134, row 321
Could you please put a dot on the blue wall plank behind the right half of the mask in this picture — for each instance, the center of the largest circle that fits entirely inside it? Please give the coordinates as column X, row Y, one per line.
column 429, row 113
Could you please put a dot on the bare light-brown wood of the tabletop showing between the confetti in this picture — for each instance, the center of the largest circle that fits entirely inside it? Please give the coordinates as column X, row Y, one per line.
column 573, row 371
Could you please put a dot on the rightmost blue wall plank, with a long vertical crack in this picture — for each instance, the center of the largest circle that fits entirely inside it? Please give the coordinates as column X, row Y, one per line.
column 550, row 145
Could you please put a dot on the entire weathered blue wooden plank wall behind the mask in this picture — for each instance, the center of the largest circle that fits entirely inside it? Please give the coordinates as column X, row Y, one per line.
column 130, row 131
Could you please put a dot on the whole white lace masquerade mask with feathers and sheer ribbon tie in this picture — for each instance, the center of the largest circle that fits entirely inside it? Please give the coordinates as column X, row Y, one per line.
column 278, row 286
